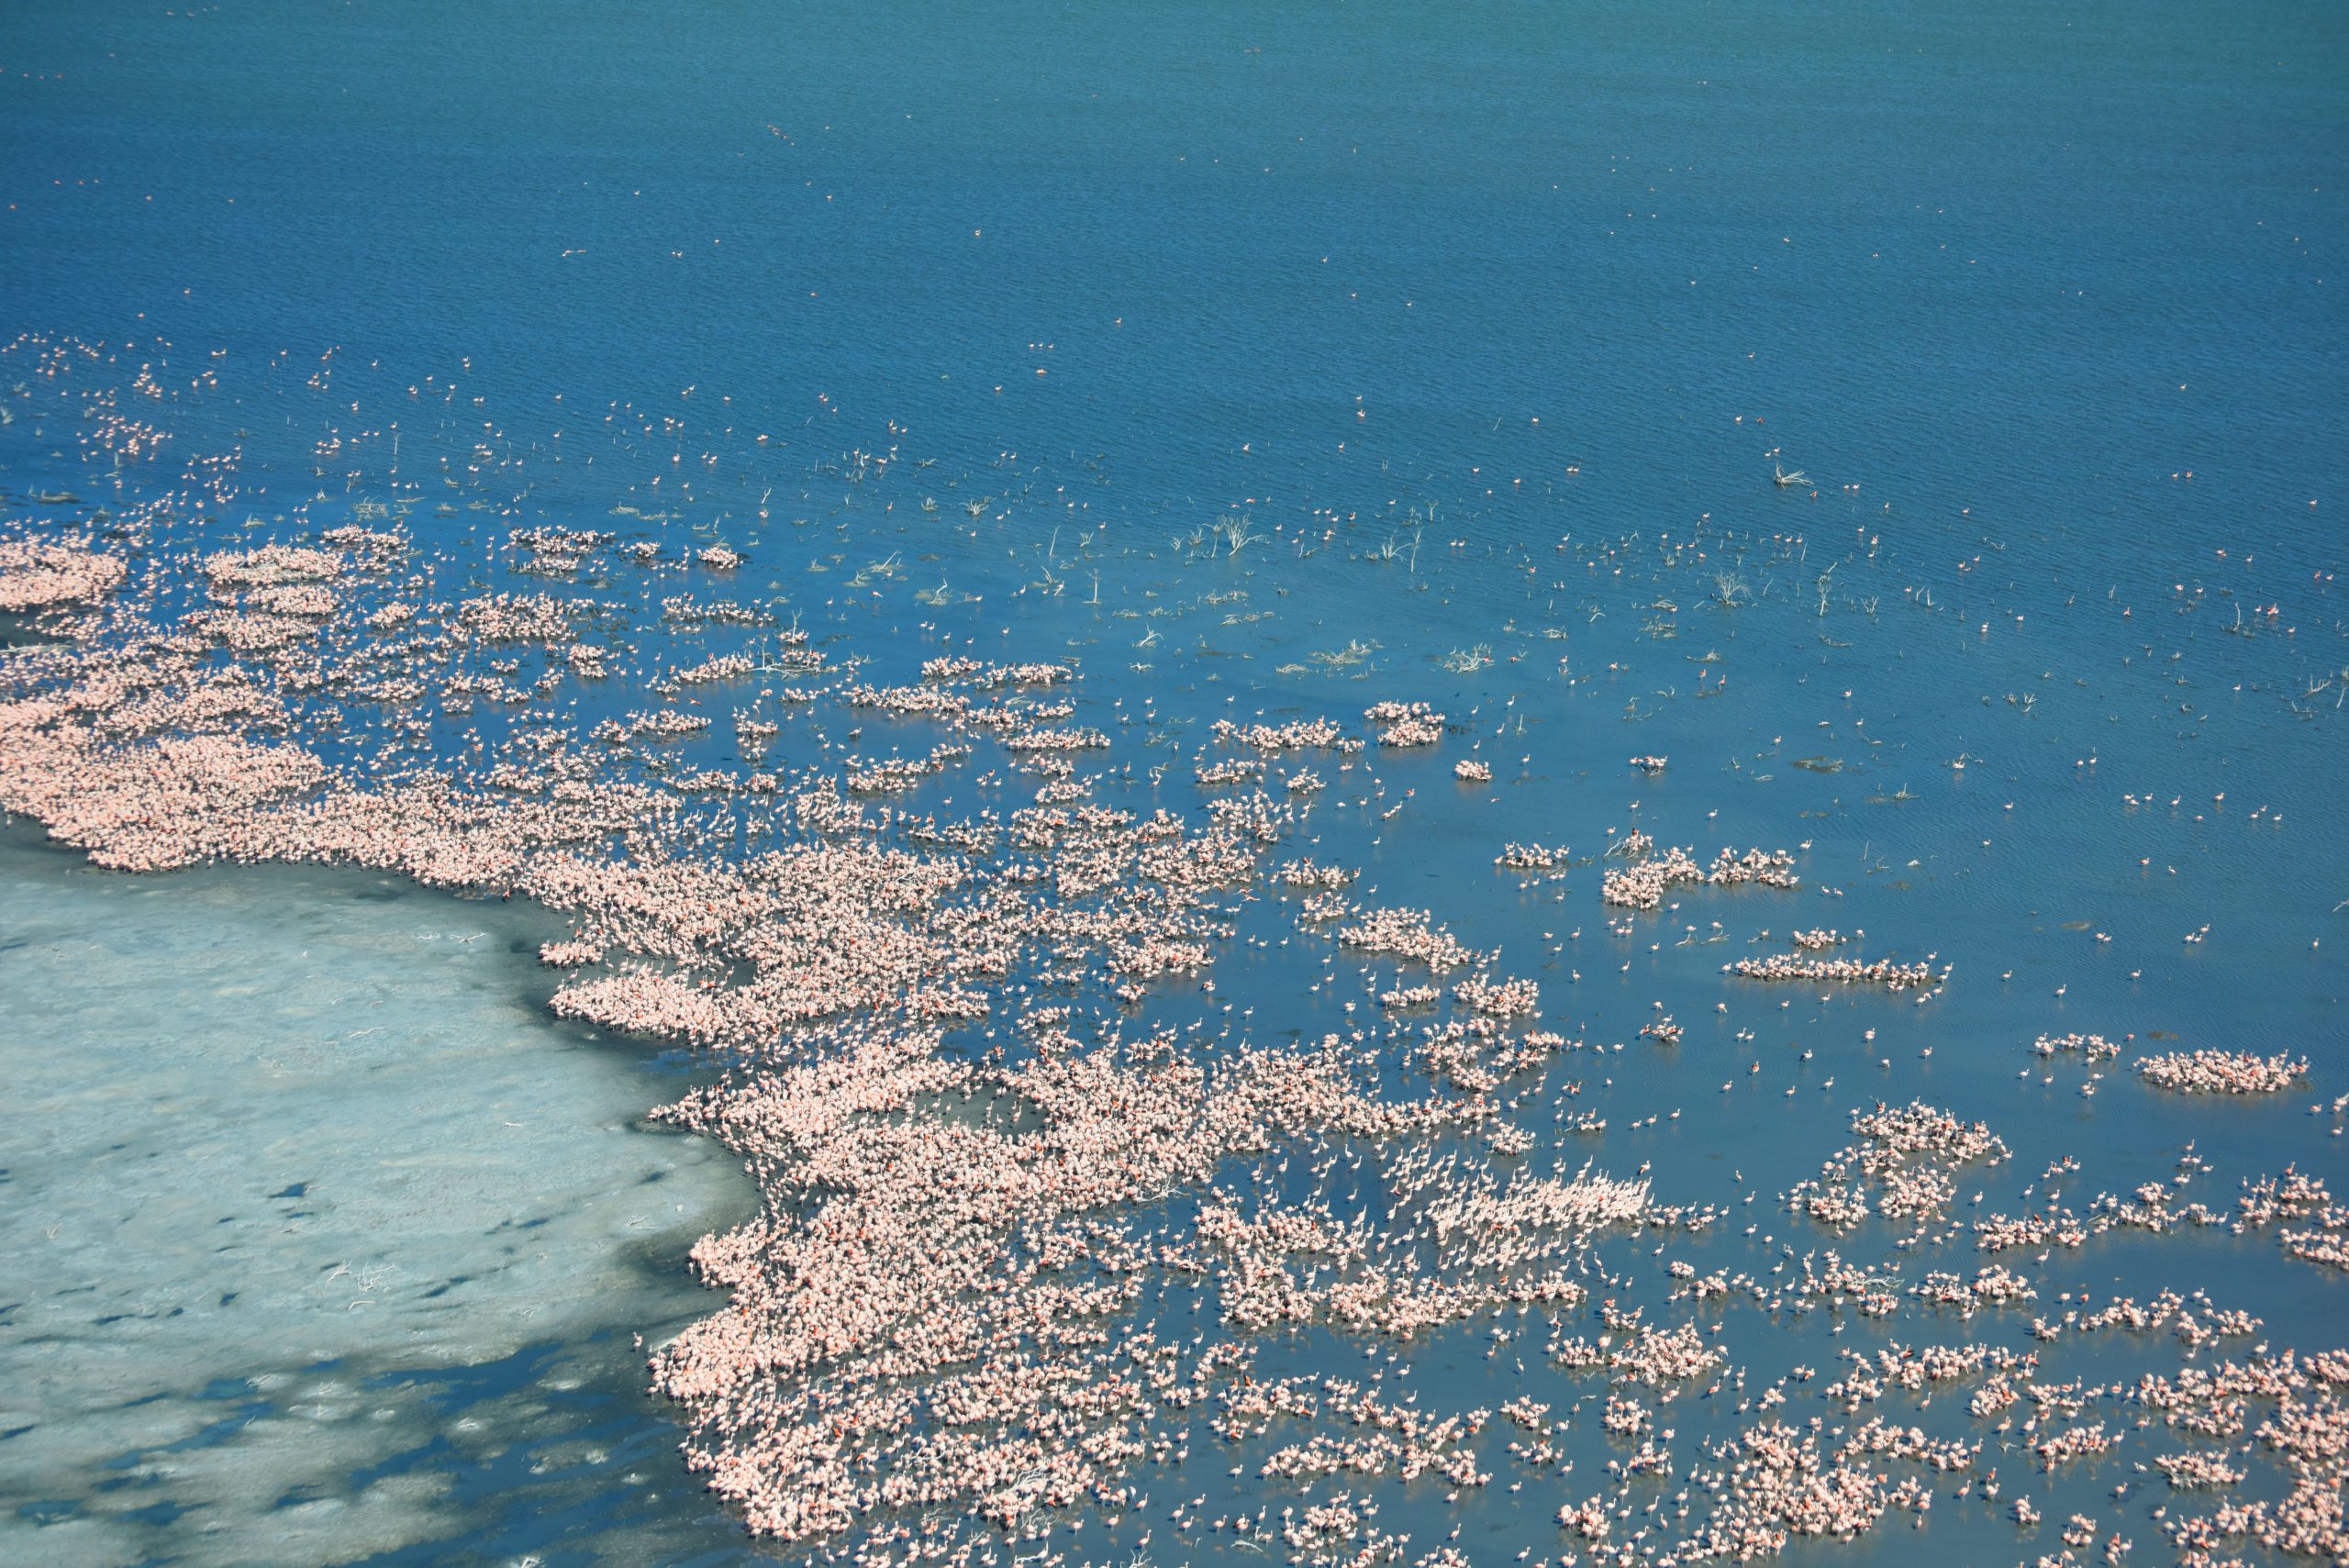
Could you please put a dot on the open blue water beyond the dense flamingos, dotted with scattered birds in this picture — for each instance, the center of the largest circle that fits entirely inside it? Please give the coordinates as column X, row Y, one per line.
column 1493, row 323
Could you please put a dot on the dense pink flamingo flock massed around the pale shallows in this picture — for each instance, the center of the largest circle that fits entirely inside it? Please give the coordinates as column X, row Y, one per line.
column 1023, row 1241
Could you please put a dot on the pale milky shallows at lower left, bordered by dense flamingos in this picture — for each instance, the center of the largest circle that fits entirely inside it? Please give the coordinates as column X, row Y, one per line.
column 323, row 1243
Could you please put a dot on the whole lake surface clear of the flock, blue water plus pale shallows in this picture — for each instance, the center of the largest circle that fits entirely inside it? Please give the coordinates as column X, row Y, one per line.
column 967, row 332
